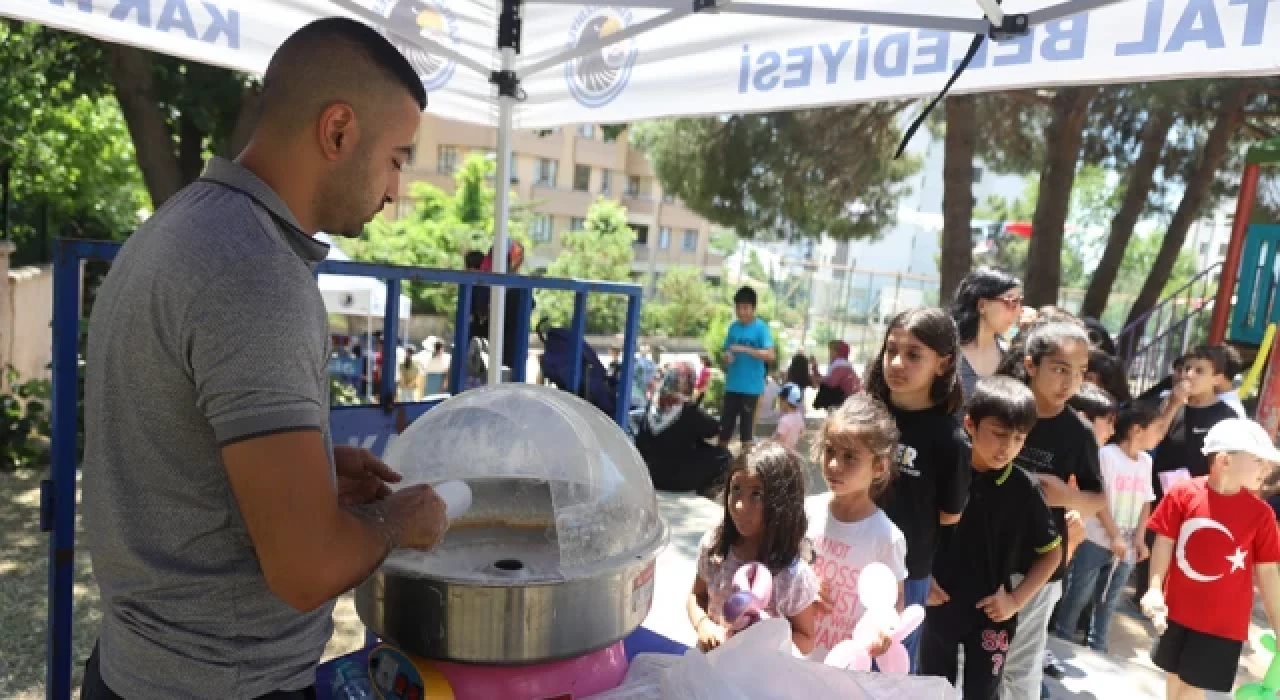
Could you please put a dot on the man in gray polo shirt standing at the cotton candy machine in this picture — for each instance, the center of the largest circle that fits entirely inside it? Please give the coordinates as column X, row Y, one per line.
column 221, row 519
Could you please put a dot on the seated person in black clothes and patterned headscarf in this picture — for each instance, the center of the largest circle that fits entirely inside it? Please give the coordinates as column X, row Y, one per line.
column 674, row 434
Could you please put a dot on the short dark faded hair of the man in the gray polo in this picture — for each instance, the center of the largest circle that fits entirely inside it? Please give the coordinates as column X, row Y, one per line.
column 326, row 57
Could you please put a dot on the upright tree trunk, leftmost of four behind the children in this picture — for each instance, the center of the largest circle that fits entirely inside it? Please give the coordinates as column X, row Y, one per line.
column 957, row 195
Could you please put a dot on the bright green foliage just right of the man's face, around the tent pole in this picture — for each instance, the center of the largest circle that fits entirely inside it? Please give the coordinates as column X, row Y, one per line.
column 438, row 234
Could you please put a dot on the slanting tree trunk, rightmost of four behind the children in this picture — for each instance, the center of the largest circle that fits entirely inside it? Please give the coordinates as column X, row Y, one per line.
column 1195, row 195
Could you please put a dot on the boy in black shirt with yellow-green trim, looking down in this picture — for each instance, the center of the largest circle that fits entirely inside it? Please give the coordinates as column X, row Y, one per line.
column 972, row 602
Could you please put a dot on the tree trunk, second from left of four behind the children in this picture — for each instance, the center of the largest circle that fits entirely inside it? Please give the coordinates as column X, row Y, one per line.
column 1062, row 154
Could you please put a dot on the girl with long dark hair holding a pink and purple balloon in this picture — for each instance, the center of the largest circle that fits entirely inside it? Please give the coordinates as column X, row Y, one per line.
column 765, row 521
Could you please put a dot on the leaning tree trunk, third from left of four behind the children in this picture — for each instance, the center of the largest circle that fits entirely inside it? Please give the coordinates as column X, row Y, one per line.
column 1155, row 135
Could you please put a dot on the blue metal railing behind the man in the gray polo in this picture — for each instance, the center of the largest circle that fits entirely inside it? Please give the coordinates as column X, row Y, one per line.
column 367, row 426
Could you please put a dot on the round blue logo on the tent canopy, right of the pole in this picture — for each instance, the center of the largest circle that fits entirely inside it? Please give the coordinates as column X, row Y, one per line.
column 598, row 77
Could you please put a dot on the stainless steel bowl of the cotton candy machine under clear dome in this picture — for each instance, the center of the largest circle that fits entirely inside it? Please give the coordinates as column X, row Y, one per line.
column 495, row 593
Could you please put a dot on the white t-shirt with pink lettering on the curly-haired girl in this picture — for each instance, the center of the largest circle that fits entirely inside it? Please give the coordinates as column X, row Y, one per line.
column 842, row 551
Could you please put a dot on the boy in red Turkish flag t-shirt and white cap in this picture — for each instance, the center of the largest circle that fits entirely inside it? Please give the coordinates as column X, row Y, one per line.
column 1214, row 533
